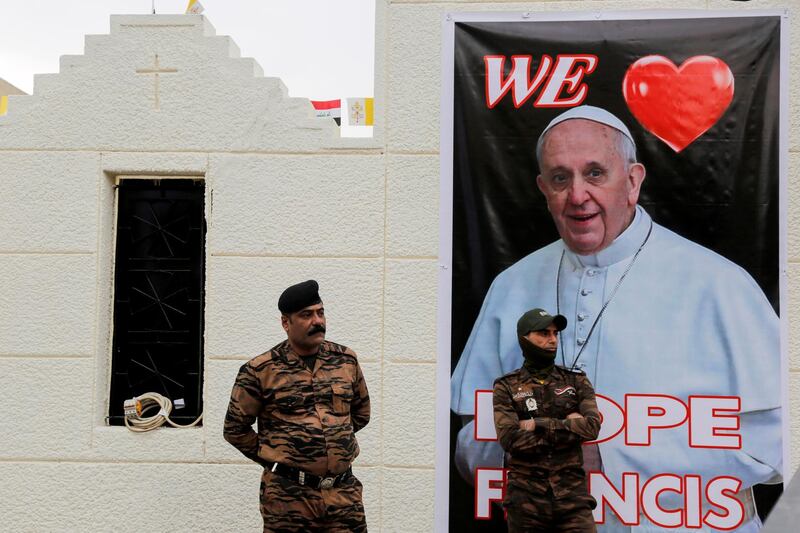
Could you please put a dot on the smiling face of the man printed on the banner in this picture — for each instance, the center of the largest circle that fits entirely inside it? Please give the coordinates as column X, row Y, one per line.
column 591, row 190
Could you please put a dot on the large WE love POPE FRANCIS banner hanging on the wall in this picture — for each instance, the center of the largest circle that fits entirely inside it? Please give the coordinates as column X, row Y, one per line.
column 670, row 277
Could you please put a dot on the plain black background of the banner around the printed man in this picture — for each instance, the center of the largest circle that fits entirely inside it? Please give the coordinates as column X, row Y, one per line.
column 721, row 191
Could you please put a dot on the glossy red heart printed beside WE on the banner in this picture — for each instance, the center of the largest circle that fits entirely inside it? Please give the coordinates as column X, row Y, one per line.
column 678, row 105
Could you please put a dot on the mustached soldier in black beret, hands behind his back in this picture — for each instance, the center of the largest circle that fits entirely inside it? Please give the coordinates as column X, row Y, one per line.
column 309, row 397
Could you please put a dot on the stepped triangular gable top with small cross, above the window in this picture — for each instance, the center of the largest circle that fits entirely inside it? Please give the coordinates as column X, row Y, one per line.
column 162, row 83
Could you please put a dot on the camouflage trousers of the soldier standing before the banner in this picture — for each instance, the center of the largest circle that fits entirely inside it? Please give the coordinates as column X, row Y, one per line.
column 531, row 505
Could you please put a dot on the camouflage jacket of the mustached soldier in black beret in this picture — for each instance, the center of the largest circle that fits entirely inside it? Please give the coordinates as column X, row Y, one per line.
column 305, row 419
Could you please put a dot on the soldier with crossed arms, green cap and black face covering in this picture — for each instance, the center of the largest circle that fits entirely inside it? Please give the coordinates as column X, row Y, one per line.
column 542, row 414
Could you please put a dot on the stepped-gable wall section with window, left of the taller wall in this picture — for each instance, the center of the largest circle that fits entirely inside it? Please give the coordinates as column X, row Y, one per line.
column 286, row 199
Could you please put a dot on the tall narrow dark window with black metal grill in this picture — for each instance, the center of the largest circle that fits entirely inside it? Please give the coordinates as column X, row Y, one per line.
column 159, row 279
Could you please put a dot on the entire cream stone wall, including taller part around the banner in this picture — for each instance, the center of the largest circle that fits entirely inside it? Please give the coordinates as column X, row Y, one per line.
column 286, row 199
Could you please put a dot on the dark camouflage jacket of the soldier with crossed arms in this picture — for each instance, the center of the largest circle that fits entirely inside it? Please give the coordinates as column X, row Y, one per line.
column 555, row 443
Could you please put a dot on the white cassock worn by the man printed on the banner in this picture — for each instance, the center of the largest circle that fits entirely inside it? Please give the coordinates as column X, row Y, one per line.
column 684, row 321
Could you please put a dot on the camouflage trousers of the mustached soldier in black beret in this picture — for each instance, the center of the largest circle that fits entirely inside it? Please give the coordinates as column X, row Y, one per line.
column 289, row 507
